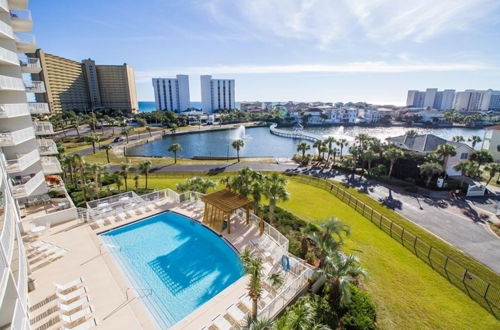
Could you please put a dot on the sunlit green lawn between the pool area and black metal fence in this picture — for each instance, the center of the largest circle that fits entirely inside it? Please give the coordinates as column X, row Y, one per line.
column 407, row 292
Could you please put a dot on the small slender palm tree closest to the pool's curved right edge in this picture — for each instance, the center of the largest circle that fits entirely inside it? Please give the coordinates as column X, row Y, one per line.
column 254, row 268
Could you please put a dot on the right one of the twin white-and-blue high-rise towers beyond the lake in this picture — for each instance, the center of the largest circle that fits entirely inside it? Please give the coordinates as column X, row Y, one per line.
column 216, row 94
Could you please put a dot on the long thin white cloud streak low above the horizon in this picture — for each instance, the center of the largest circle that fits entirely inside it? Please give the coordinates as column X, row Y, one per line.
column 353, row 67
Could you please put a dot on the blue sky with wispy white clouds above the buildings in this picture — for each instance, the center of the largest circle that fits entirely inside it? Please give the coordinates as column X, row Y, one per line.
column 280, row 50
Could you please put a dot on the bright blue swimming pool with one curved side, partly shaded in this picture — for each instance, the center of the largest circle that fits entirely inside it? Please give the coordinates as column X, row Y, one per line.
column 175, row 263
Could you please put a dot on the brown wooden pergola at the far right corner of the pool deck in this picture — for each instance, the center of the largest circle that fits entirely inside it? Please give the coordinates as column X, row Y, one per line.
column 220, row 205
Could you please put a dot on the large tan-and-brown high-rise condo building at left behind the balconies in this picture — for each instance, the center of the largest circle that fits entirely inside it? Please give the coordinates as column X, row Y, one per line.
column 81, row 86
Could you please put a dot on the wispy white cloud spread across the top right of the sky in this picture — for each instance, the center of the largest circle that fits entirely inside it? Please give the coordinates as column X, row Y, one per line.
column 324, row 21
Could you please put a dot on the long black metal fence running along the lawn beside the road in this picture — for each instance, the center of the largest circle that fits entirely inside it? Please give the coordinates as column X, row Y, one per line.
column 476, row 288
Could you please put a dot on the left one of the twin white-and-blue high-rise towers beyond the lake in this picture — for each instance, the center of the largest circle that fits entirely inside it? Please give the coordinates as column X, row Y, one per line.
column 172, row 93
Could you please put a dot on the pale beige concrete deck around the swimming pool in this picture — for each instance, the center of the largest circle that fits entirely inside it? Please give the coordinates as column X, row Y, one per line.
column 115, row 304
